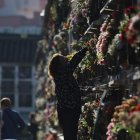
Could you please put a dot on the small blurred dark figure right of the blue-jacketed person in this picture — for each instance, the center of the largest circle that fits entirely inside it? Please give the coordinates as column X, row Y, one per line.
column 33, row 126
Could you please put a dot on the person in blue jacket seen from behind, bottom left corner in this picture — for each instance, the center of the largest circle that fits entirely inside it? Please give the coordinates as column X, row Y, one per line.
column 13, row 122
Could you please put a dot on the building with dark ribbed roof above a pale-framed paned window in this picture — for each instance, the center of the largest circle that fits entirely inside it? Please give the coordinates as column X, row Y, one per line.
column 17, row 71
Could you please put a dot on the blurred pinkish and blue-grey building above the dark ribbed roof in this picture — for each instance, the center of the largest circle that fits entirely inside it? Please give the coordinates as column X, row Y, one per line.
column 21, row 16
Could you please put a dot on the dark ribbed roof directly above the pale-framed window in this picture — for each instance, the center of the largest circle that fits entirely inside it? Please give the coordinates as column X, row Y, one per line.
column 17, row 49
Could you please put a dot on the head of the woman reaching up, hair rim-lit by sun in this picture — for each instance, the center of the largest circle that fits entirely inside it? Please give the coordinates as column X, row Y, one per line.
column 57, row 63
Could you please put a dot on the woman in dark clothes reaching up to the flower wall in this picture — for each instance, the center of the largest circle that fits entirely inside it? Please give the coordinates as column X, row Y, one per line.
column 67, row 92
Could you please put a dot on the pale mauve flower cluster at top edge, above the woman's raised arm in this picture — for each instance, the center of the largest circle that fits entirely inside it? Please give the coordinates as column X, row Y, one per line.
column 77, row 20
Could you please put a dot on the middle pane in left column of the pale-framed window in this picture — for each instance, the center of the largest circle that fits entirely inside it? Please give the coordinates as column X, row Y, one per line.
column 7, row 86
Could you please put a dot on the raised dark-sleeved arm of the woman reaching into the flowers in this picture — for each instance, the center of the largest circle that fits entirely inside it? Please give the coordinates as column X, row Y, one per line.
column 76, row 59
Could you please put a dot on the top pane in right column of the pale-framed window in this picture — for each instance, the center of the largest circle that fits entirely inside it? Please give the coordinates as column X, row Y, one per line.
column 25, row 72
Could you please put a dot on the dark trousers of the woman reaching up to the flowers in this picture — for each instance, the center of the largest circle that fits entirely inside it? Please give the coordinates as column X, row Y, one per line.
column 69, row 123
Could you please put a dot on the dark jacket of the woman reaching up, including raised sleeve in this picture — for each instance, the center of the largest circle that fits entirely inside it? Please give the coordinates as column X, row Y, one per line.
column 66, row 87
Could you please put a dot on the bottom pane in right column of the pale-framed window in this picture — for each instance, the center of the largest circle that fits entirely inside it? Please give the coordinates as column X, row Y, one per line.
column 25, row 100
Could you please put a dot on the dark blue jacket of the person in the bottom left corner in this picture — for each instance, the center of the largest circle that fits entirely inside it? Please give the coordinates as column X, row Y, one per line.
column 13, row 123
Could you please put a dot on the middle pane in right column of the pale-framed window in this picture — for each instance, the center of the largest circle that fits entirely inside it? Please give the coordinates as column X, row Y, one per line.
column 25, row 87
